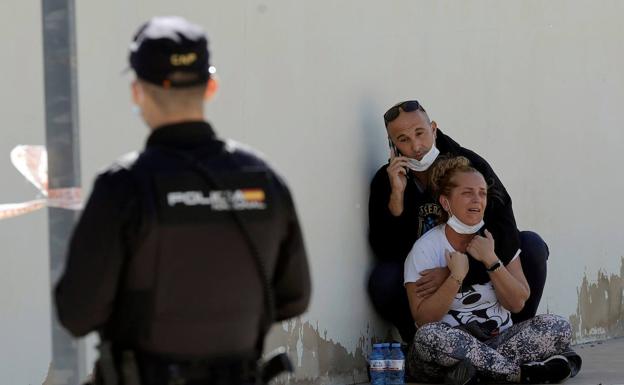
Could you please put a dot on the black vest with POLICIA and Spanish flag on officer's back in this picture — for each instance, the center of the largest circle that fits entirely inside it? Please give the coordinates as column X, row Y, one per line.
column 197, row 279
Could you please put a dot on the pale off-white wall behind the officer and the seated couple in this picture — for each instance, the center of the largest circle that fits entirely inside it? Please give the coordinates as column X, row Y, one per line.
column 535, row 87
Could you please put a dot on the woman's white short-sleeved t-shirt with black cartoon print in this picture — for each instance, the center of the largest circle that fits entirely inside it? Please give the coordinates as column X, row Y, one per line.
column 474, row 302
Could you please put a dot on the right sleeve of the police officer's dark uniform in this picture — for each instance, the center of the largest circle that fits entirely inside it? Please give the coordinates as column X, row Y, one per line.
column 291, row 280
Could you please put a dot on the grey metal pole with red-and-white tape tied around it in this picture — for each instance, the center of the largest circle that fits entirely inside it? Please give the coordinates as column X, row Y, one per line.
column 61, row 108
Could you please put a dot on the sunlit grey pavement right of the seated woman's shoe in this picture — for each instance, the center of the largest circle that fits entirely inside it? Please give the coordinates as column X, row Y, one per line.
column 603, row 363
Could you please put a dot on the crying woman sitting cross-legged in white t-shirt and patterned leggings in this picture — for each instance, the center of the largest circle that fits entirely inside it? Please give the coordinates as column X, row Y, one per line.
column 464, row 329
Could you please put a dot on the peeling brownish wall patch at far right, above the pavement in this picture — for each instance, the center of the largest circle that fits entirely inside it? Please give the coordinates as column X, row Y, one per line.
column 600, row 309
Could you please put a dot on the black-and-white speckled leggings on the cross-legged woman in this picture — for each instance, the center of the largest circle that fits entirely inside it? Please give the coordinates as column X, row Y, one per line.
column 438, row 346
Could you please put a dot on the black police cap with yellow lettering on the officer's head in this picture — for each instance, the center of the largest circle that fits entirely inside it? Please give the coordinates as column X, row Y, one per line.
column 171, row 52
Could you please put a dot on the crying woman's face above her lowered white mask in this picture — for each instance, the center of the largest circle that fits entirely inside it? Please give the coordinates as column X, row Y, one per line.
column 467, row 201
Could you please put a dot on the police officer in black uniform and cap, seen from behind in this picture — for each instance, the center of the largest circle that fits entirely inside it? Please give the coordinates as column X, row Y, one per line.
column 187, row 252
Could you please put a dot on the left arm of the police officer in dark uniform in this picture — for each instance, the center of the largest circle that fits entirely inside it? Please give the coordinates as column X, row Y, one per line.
column 86, row 291
